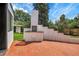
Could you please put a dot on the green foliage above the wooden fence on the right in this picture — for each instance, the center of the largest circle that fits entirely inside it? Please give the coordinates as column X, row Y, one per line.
column 65, row 23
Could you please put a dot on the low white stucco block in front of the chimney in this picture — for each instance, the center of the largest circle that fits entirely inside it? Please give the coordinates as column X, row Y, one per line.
column 33, row 36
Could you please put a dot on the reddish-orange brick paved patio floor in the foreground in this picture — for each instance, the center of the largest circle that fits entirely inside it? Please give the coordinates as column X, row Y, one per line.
column 44, row 48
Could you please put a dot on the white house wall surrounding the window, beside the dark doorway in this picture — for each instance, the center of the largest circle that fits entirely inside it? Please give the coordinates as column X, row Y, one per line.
column 10, row 33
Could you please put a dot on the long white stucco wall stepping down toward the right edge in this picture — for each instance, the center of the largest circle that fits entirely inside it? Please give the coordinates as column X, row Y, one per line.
column 50, row 34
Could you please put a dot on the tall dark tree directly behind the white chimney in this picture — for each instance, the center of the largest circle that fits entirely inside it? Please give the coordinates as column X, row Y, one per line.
column 43, row 13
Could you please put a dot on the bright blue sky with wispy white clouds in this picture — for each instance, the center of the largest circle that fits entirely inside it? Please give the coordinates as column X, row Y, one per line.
column 55, row 9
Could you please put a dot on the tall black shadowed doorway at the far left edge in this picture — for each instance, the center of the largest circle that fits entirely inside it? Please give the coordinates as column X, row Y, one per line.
column 3, row 26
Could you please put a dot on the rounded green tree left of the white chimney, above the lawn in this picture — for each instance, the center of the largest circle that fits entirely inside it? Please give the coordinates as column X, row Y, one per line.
column 22, row 18
